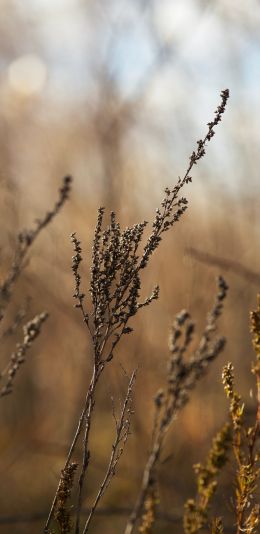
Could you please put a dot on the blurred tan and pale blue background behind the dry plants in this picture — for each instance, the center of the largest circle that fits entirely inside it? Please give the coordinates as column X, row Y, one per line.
column 116, row 93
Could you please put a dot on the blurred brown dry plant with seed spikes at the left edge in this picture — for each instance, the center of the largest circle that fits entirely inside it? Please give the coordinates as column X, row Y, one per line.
column 32, row 328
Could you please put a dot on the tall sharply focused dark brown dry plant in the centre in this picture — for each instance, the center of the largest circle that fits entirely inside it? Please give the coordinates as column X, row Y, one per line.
column 117, row 266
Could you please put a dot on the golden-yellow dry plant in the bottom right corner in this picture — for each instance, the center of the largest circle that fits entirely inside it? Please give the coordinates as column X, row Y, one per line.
column 240, row 442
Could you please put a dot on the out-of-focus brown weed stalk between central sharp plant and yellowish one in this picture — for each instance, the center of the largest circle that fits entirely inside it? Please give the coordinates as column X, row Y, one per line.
column 182, row 376
